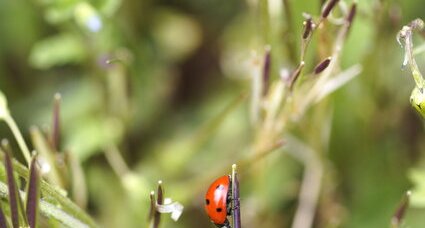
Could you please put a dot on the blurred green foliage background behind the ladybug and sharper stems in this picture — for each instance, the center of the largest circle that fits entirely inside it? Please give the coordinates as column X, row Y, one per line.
column 164, row 103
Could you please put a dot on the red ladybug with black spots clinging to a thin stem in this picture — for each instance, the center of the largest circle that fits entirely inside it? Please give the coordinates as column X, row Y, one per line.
column 217, row 201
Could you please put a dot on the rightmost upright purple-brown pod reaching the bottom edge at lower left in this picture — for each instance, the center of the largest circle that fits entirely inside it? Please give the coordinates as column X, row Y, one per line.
column 33, row 194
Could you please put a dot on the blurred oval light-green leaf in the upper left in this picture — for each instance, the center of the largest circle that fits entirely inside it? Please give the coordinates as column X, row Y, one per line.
column 57, row 50
